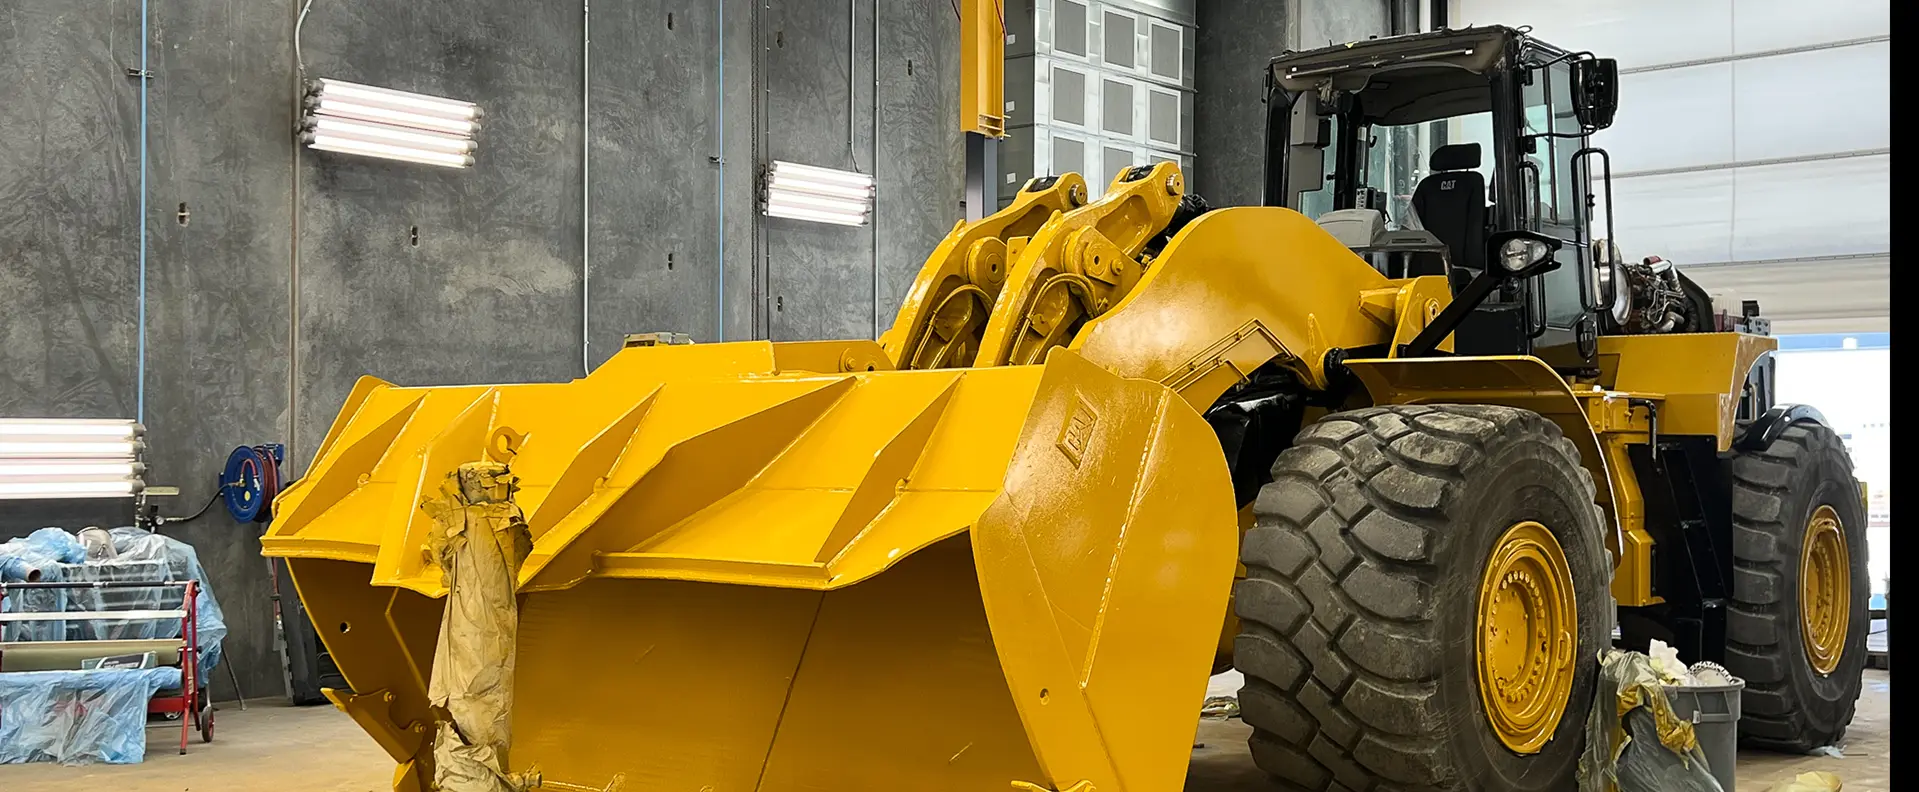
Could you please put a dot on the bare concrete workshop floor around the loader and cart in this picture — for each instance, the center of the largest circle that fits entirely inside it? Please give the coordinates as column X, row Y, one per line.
column 320, row 751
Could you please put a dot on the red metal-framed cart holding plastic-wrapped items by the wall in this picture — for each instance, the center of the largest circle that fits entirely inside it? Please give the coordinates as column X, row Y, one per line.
column 189, row 703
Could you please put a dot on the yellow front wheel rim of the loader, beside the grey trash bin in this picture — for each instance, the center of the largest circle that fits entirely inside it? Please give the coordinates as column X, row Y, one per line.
column 1527, row 638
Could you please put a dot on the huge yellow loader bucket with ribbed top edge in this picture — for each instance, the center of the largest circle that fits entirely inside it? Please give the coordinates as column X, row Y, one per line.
column 746, row 578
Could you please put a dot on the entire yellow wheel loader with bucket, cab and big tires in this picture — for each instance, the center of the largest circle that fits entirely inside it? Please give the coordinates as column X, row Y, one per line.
column 1406, row 465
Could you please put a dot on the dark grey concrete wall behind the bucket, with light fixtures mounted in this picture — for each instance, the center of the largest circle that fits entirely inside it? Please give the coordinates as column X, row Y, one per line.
column 421, row 275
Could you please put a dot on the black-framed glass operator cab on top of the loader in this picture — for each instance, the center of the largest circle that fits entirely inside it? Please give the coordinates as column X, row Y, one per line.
column 1427, row 152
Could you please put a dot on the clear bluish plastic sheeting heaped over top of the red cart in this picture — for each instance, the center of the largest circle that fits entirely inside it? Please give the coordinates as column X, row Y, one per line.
column 53, row 555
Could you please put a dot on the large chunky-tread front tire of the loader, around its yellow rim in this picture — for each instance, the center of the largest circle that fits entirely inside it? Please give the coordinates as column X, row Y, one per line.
column 1360, row 605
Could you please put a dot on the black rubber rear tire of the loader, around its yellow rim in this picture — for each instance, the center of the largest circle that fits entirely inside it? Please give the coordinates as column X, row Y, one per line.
column 1788, row 705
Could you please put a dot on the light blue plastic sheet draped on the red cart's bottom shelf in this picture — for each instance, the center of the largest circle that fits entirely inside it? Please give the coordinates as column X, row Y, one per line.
column 78, row 718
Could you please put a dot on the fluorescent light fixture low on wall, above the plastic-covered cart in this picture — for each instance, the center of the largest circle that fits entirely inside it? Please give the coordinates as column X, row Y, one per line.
column 70, row 459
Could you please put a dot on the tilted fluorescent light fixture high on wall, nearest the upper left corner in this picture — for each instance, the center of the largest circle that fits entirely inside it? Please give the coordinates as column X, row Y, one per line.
column 387, row 124
